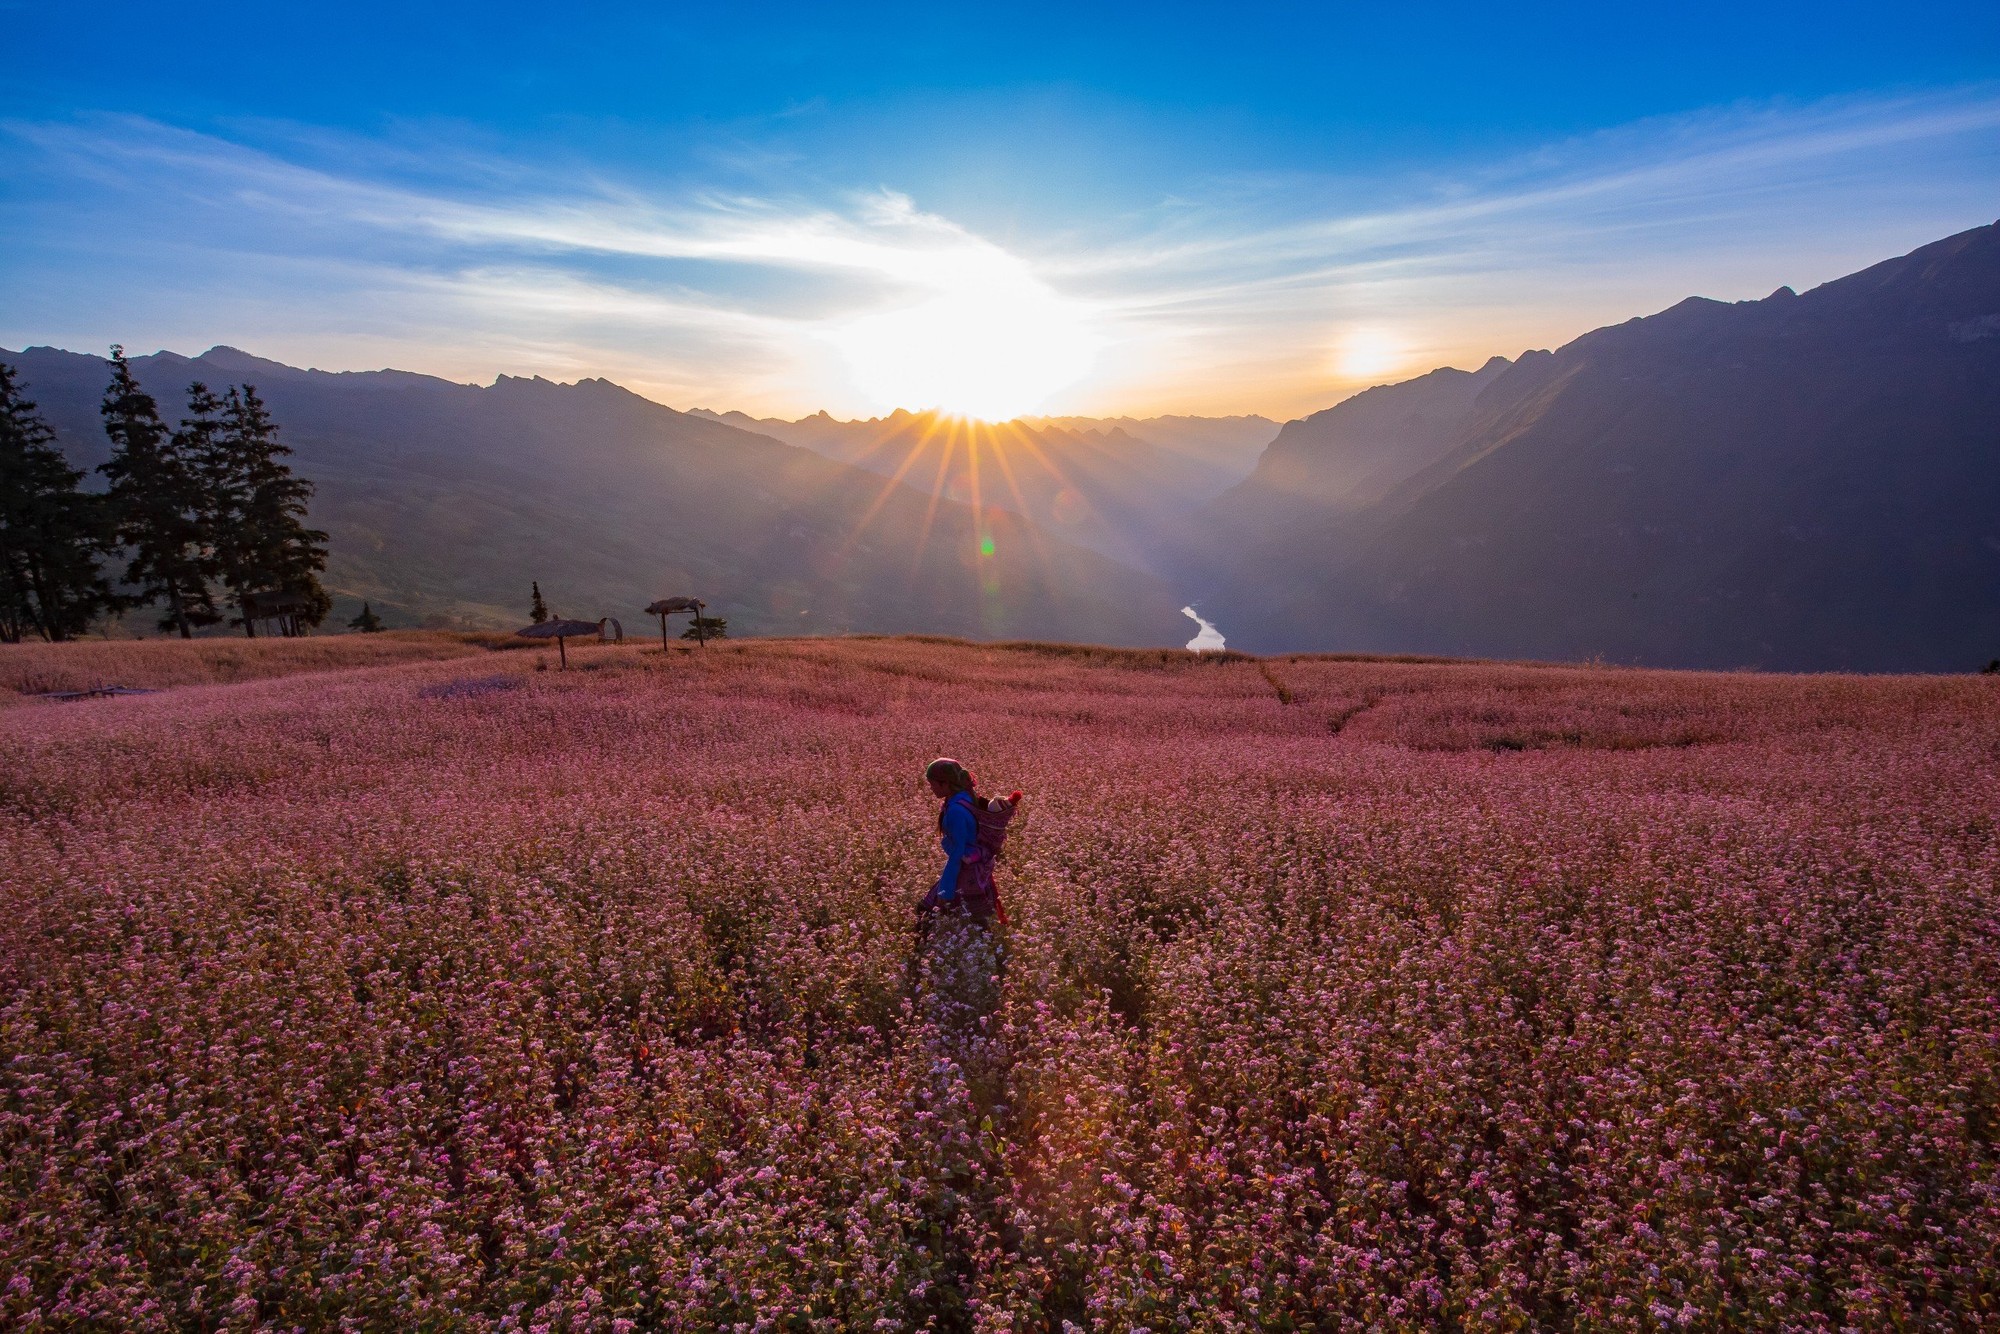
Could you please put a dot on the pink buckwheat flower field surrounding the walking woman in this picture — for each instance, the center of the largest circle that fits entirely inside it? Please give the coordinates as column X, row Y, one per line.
column 451, row 993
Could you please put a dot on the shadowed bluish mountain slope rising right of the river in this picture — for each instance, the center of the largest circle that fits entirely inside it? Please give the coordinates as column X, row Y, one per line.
column 1795, row 483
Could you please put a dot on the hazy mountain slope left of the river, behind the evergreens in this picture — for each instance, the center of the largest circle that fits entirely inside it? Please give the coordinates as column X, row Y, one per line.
column 445, row 501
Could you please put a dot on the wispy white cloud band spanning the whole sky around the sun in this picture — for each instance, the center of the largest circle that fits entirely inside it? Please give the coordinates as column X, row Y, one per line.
column 1229, row 297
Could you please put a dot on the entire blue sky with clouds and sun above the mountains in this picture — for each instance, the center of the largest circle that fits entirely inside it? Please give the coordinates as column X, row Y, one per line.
column 1071, row 209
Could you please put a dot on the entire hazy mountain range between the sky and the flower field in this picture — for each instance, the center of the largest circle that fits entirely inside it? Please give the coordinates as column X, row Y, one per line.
column 1807, row 481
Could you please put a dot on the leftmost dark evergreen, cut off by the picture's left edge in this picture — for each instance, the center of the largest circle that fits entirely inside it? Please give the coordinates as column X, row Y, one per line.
column 51, row 533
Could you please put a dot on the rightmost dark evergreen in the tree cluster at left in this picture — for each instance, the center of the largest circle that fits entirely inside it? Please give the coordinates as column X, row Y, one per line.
column 259, row 513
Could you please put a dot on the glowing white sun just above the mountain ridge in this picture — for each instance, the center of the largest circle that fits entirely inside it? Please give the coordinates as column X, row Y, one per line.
column 991, row 343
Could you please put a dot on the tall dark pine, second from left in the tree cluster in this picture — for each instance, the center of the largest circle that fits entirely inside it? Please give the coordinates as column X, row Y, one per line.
column 159, row 507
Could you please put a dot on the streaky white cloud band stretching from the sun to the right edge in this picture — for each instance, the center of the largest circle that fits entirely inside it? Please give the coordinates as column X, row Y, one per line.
column 1543, row 247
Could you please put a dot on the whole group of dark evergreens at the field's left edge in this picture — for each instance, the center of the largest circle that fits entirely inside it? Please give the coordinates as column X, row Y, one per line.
column 207, row 517
